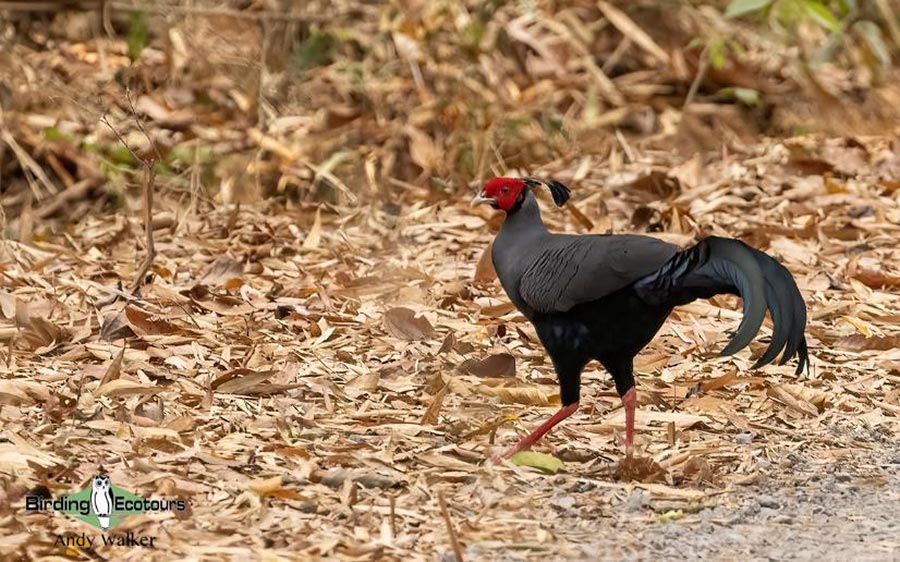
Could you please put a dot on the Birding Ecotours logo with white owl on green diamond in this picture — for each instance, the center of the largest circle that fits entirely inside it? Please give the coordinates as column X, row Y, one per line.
column 102, row 505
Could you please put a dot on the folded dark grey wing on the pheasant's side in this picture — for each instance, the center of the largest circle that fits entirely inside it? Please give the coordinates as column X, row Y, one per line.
column 573, row 270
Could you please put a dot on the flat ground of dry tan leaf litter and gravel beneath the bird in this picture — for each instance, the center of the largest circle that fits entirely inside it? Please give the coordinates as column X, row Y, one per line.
column 314, row 381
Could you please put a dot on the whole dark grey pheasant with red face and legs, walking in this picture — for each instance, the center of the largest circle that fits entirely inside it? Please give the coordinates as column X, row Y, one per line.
column 605, row 297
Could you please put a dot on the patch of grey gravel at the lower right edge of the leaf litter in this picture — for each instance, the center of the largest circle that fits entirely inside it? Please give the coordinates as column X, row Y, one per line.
column 834, row 511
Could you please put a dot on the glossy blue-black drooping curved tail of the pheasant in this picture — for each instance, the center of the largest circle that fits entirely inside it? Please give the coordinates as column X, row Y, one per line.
column 721, row 265
